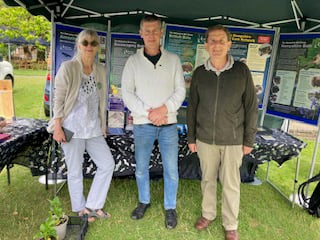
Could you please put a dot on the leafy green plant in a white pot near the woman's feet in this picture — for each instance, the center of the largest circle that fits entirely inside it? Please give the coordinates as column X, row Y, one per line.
column 59, row 218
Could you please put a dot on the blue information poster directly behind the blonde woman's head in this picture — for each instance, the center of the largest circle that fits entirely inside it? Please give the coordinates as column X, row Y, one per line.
column 65, row 43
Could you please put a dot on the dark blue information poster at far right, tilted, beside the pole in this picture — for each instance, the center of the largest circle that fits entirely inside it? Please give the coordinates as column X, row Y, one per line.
column 295, row 89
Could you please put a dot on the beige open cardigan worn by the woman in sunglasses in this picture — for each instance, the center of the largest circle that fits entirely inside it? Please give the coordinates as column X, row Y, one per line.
column 67, row 85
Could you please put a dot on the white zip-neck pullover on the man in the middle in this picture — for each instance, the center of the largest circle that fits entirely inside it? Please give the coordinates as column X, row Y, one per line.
column 146, row 86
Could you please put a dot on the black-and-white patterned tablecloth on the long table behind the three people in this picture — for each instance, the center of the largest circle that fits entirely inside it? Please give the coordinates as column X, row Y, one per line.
column 281, row 149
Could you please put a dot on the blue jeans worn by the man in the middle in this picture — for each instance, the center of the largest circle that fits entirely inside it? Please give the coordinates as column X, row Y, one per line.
column 144, row 137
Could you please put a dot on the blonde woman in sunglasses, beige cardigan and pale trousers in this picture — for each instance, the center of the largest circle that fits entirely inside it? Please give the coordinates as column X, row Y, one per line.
column 80, row 106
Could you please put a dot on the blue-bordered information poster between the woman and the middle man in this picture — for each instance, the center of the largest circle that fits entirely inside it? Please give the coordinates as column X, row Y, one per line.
column 122, row 46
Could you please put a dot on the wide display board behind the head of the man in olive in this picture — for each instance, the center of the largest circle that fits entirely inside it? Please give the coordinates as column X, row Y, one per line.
column 251, row 46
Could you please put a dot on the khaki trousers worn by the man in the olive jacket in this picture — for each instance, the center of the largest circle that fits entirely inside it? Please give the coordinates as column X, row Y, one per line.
column 221, row 162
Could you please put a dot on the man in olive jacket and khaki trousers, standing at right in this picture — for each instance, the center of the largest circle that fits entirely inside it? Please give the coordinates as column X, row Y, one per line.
column 222, row 123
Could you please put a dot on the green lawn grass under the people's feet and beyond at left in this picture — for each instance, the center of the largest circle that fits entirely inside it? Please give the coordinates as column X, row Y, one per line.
column 264, row 213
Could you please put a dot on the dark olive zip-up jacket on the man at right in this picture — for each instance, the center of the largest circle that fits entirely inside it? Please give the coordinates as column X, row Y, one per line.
column 222, row 109
